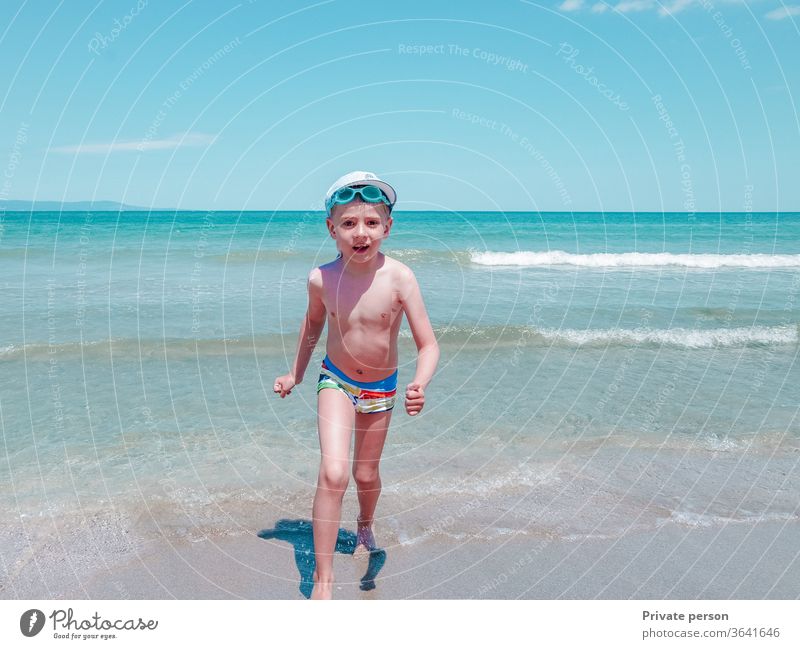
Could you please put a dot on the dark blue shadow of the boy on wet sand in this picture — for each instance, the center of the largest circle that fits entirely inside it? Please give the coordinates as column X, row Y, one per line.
column 300, row 534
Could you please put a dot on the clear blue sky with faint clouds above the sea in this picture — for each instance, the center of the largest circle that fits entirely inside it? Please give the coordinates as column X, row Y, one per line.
column 684, row 105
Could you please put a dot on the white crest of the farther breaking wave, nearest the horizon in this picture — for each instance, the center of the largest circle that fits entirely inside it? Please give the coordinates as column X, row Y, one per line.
column 632, row 259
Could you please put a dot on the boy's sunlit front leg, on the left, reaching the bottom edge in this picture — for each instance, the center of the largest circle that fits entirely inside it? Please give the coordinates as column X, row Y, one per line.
column 335, row 419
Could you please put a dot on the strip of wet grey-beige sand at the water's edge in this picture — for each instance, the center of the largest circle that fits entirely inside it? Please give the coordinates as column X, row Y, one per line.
column 104, row 561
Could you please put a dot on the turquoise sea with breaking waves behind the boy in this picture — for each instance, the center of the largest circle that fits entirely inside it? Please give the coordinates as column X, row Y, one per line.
column 599, row 372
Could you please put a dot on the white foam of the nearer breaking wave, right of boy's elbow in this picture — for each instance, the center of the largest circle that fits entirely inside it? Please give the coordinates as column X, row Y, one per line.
column 677, row 337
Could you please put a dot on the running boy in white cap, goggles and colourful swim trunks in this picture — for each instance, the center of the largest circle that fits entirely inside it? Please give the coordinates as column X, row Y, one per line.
column 364, row 295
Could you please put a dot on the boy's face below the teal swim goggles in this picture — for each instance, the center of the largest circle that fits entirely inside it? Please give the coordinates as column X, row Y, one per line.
column 359, row 228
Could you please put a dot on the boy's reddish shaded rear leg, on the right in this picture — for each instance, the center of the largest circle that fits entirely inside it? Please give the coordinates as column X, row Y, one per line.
column 371, row 431
